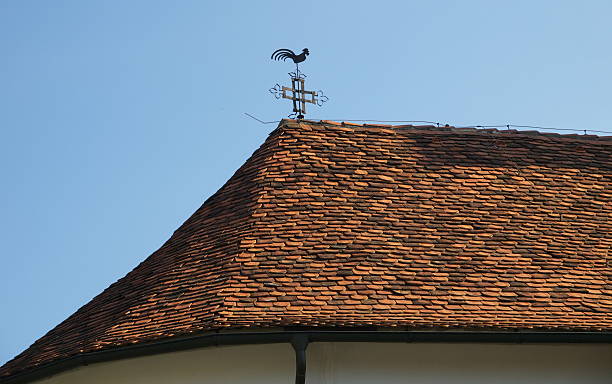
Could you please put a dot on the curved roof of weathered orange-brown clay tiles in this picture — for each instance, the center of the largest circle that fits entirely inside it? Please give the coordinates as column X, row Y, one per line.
column 349, row 226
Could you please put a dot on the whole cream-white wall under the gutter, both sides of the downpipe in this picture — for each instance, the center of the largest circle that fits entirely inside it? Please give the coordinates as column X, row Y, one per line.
column 360, row 363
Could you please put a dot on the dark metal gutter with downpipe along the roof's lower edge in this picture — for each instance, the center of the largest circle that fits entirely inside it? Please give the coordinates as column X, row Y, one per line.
column 299, row 339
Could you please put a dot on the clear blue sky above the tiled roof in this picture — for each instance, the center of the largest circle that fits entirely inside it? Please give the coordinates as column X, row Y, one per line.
column 119, row 118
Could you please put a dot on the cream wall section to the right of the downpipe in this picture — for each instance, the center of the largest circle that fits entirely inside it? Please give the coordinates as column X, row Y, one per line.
column 461, row 363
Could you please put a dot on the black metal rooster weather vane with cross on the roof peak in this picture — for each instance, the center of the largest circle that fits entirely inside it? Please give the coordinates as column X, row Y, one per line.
column 296, row 93
